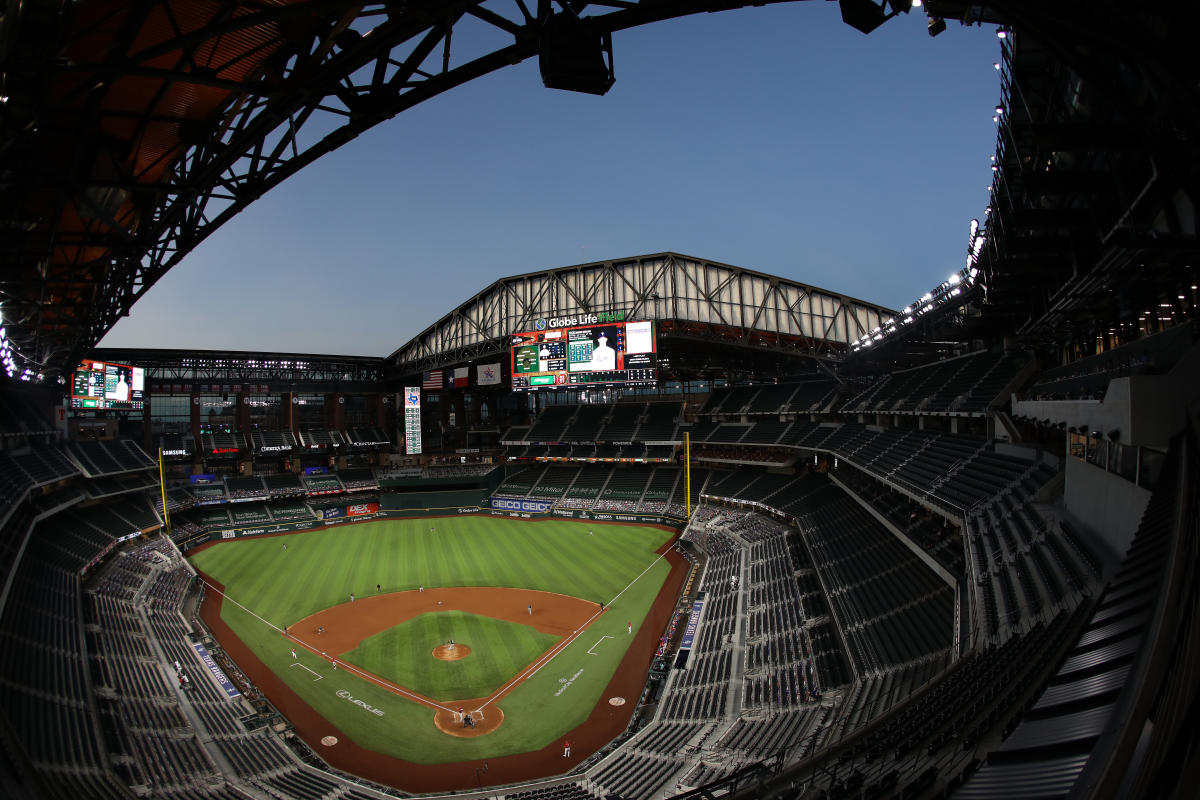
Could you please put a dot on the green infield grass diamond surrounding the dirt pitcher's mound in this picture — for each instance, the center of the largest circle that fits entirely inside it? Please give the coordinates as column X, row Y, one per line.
column 499, row 651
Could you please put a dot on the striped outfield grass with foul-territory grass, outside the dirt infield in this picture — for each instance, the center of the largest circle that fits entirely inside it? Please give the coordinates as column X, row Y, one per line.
column 272, row 588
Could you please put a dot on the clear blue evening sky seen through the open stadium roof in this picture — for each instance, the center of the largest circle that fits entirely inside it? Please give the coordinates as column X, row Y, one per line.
column 777, row 139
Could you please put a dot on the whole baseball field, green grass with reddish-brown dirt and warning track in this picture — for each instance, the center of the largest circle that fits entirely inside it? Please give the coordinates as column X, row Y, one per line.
column 391, row 634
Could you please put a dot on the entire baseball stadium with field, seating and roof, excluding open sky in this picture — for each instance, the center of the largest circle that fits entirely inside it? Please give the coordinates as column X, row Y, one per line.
column 638, row 528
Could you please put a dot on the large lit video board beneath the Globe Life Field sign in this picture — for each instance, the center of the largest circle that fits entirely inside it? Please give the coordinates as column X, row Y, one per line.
column 596, row 354
